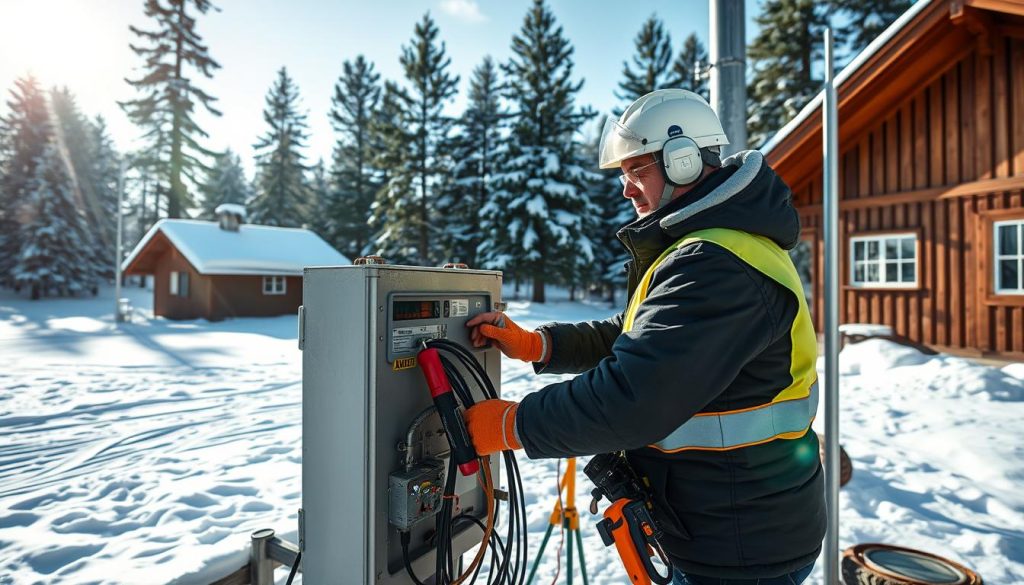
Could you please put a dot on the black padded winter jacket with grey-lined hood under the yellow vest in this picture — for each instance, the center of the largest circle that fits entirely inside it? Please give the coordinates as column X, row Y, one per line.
column 712, row 336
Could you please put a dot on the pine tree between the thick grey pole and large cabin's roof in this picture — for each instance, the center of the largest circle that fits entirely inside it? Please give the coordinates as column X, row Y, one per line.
column 782, row 56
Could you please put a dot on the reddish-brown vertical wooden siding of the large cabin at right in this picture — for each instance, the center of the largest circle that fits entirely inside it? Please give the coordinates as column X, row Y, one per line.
column 946, row 162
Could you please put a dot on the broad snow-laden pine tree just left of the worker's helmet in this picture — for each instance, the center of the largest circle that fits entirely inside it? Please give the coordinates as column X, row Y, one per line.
column 540, row 222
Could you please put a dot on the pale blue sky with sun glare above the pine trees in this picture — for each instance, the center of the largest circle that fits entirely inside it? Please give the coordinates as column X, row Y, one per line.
column 84, row 45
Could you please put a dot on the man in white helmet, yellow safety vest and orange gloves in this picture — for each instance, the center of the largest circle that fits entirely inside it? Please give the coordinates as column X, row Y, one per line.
column 707, row 381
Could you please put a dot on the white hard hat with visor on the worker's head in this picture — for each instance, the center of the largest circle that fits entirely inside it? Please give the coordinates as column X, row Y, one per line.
column 656, row 118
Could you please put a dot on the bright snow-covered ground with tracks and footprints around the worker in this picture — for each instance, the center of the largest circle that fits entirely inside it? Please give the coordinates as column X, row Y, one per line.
column 147, row 453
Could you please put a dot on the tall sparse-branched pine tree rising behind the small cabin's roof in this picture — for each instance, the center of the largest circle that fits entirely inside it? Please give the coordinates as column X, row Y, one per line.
column 174, row 55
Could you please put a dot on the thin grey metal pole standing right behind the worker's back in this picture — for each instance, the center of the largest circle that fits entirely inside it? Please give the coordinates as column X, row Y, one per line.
column 830, row 153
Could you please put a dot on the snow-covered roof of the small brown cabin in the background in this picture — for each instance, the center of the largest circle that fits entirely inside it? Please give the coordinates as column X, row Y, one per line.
column 251, row 250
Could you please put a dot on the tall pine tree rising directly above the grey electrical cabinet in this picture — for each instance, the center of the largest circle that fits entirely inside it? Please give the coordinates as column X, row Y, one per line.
column 429, row 89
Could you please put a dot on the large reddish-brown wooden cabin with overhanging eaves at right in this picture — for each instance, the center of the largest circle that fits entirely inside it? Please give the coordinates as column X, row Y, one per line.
column 931, row 138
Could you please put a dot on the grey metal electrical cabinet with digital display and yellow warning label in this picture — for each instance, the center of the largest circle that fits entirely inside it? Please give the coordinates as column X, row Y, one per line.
column 360, row 329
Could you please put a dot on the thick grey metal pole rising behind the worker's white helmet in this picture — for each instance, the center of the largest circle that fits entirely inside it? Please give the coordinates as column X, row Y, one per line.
column 728, row 53
